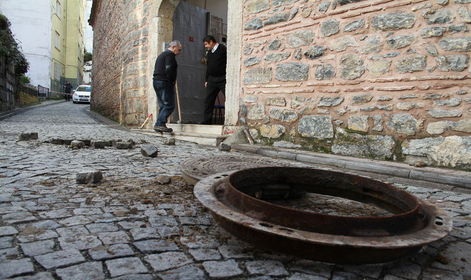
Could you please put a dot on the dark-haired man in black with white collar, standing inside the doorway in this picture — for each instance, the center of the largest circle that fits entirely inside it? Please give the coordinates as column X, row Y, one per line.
column 215, row 74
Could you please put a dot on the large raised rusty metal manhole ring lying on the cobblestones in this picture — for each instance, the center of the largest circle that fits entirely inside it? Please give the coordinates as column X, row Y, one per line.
column 232, row 199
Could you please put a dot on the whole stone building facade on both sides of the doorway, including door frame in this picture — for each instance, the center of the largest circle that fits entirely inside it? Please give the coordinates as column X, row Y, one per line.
column 380, row 79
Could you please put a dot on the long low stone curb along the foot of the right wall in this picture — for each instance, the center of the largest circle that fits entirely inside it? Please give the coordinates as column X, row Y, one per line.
column 444, row 176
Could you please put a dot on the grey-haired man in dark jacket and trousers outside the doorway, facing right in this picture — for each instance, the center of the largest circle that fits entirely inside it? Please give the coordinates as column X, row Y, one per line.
column 165, row 77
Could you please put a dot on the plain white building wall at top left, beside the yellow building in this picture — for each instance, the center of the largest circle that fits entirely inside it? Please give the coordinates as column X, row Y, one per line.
column 31, row 26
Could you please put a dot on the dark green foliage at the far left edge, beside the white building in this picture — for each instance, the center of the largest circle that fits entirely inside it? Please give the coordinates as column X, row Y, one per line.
column 9, row 47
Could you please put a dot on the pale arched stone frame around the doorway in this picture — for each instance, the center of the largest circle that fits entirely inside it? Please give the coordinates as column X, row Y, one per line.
column 161, row 31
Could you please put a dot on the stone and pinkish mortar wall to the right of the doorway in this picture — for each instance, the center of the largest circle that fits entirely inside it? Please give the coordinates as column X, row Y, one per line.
column 381, row 79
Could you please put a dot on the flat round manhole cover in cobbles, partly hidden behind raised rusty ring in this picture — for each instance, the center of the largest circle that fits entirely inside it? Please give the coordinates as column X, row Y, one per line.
column 196, row 169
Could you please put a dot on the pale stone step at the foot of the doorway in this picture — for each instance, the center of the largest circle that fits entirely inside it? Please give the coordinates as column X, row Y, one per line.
column 198, row 138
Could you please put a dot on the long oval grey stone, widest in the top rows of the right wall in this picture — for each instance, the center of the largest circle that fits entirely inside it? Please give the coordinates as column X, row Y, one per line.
column 393, row 21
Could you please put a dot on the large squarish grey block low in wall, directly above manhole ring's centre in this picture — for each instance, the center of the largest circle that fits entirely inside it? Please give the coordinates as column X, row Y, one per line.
column 316, row 126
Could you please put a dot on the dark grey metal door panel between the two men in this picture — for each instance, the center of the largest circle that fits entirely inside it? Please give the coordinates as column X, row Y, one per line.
column 189, row 27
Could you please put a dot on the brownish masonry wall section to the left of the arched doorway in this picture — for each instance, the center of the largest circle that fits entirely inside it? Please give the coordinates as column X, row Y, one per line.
column 119, row 58
